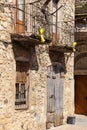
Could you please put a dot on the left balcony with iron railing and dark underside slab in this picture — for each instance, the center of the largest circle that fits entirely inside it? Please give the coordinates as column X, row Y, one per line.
column 27, row 28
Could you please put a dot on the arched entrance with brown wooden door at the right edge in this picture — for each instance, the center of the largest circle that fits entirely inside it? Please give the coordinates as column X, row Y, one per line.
column 81, row 83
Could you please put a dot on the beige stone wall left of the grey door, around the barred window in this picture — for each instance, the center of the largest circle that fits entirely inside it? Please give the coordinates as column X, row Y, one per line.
column 35, row 116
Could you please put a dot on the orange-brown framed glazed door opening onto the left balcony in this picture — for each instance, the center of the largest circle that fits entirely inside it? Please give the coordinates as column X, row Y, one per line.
column 20, row 16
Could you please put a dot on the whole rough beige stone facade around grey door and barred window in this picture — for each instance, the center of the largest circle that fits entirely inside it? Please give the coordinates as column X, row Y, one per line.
column 39, row 57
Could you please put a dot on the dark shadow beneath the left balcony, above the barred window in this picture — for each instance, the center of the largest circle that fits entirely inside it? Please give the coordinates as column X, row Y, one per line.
column 26, row 55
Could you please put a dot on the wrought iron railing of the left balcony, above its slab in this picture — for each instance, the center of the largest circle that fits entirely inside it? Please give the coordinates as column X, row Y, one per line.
column 31, row 20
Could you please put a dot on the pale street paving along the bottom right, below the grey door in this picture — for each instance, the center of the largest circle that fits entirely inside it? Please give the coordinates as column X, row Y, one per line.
column 69, row 127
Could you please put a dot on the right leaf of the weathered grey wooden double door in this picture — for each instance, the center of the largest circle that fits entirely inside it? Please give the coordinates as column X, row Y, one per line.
column 58, row 101
